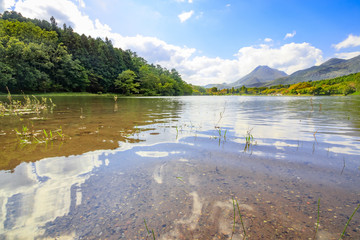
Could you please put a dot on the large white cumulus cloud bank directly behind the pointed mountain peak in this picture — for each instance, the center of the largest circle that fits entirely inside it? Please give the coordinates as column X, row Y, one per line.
column 290, row 57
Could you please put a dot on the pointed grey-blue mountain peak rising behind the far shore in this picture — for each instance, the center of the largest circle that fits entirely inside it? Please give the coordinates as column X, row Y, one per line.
column 258, row 77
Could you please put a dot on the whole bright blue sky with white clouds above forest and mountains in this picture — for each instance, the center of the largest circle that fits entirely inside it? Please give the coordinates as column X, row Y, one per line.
column 214, row 41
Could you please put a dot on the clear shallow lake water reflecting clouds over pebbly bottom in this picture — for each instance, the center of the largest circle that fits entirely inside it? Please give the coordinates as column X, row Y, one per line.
column 178, row 163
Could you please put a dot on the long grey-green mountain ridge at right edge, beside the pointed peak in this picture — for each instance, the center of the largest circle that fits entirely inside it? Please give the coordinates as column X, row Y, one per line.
column 332, row 68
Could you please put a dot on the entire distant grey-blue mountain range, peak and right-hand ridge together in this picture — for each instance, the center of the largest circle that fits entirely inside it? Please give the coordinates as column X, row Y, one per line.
column 266, row 76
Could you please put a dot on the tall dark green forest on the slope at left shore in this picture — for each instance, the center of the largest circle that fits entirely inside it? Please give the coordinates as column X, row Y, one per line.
column 38, row 56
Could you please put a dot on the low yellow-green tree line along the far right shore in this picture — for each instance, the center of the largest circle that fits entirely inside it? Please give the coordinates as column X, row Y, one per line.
column 345, row 85
